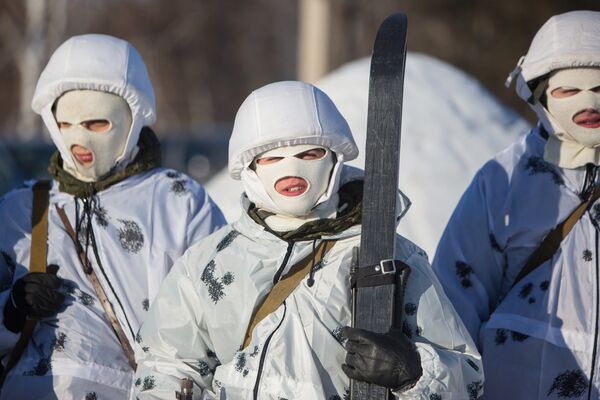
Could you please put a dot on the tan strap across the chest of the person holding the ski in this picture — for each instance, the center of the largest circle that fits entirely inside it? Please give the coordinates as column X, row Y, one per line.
column 285, row 287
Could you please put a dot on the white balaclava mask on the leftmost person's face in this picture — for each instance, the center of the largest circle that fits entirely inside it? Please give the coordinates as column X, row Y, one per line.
column 94, row 127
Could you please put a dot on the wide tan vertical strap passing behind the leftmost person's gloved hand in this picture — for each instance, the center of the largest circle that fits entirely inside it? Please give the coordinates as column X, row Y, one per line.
column 37, row 263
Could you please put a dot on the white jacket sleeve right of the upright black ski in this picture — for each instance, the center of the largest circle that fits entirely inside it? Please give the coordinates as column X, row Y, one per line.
column 452, row 367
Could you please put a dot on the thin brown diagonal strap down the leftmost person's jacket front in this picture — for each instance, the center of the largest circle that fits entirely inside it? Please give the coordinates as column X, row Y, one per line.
column 91, row 274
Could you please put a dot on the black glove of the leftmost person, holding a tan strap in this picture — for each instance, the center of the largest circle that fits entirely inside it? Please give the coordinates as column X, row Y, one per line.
column 33, row 296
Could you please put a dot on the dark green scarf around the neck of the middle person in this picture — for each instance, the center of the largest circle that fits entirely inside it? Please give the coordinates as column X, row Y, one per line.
column 350, row 194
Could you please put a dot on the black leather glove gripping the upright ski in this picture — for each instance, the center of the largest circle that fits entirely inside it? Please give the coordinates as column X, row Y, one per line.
column 384, row 359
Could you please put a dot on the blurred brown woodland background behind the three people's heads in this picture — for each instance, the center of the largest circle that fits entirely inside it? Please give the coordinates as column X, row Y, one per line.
column 205, row 56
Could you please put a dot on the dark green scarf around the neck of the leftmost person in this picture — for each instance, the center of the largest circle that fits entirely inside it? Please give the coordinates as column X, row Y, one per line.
column 147, row 158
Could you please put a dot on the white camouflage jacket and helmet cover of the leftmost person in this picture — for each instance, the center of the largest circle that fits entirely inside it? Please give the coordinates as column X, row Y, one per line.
column 140, row 226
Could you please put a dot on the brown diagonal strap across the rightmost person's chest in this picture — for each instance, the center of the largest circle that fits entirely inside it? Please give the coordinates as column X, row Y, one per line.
column 552, row 241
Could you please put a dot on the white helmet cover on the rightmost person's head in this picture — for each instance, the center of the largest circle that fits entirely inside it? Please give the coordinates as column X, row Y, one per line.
column 568, row 40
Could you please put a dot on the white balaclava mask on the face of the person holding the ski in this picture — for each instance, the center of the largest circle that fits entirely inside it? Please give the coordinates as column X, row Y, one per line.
column 295, row 177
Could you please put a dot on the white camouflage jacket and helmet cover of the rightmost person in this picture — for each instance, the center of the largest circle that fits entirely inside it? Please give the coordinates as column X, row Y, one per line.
column 538, row 339
